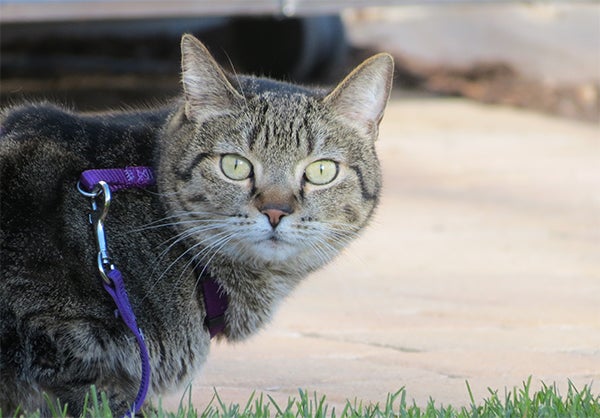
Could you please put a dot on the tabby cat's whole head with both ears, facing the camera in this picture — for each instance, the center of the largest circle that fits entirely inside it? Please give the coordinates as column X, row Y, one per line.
column 270, row 173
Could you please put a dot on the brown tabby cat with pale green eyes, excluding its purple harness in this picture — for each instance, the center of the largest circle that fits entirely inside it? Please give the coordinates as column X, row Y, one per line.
column 258, row 183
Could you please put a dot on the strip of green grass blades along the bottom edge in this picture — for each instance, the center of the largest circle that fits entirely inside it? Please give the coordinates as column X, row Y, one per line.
column 520, row 402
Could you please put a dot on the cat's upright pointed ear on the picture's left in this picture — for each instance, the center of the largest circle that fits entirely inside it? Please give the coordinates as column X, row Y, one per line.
column 207, row 90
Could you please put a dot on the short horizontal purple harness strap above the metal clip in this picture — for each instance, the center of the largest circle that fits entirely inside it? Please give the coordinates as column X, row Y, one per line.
column 118, row 178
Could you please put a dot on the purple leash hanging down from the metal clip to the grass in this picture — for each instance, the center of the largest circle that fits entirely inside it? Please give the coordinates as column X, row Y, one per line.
column 117, row 291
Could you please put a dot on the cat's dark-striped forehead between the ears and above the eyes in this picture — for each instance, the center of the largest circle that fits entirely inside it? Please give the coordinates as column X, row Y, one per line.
column 279, row 127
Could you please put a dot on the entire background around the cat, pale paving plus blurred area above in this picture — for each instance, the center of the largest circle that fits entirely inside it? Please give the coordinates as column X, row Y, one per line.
column 483, row 261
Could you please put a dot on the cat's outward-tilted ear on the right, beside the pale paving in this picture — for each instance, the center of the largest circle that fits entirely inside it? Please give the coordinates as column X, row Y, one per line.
column 362, row 96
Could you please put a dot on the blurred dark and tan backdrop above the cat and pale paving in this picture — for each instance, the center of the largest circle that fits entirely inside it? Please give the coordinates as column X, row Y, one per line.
column 104, row 53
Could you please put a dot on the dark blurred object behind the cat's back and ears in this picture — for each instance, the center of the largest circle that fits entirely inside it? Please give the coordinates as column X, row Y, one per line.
column 94, row 65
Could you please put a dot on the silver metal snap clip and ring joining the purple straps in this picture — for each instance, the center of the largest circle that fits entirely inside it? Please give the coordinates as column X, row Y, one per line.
column 100, row 200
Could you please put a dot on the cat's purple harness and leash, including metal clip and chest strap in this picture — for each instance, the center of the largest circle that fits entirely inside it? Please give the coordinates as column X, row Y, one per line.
column 99, row 184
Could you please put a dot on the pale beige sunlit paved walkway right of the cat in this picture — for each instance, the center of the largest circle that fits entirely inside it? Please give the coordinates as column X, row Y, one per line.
column 483, row 265
